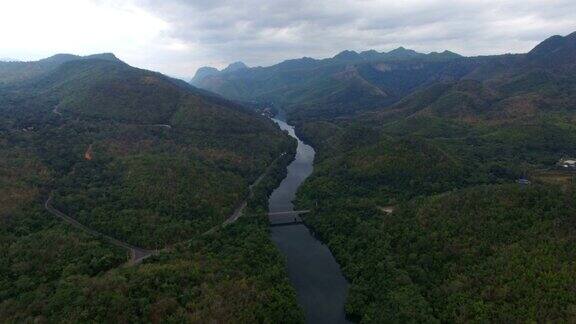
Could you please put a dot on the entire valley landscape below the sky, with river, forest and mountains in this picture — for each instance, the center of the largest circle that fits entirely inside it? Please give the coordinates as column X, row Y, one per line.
column 369, row 187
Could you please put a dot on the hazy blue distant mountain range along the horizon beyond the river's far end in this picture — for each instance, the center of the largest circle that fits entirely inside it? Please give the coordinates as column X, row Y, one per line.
column 354, row 82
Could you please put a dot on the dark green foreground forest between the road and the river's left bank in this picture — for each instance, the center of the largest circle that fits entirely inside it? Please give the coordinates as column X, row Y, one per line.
column 234, row 275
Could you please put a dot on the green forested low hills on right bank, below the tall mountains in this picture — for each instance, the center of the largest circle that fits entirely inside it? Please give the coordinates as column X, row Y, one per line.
column 446, row 253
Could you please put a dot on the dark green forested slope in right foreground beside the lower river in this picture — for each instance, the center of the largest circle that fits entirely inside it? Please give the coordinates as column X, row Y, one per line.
column 469, row 255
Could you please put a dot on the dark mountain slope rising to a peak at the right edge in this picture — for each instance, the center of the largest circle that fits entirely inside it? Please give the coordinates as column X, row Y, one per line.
column 502, row 90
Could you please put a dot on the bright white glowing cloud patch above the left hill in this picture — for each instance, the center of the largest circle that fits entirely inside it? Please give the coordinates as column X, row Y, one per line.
column 32, row 29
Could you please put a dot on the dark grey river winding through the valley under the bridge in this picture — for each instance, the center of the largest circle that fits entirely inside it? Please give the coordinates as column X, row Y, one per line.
column 320, row 286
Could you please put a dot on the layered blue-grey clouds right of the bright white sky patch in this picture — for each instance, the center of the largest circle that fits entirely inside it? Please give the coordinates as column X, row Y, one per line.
column 264, row 32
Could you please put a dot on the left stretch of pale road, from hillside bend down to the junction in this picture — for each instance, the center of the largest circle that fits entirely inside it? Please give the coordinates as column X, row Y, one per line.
column 137, row 254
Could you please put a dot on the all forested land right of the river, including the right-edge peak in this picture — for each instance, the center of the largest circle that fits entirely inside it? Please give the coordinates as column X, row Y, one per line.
column 450, row 206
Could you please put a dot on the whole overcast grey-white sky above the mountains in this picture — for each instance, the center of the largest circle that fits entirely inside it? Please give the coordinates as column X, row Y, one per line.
column 178, row 36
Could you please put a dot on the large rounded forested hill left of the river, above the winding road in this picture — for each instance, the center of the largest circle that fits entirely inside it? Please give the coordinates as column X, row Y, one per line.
column 149, row 135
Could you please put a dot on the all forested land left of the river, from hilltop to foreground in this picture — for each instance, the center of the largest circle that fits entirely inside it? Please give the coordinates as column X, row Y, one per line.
column 145, row 159
